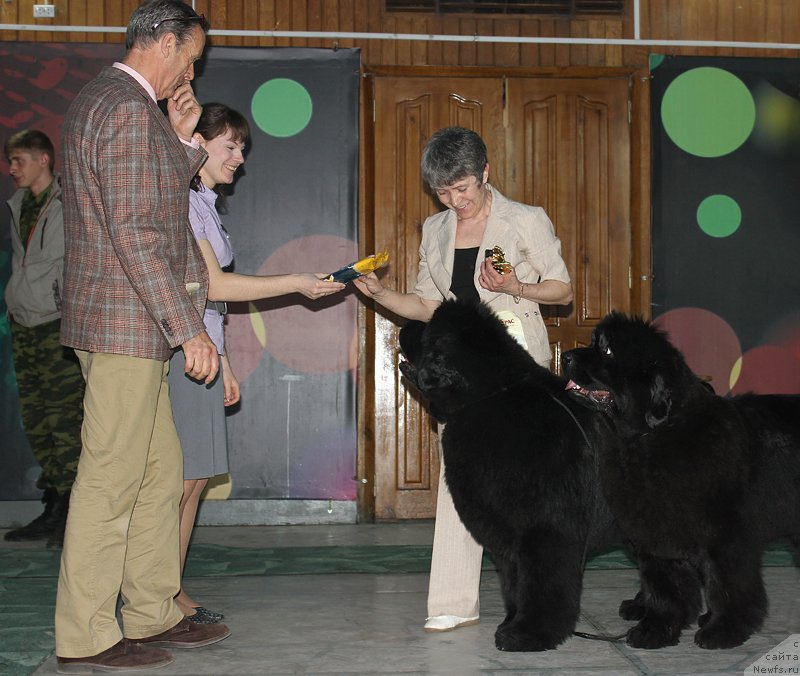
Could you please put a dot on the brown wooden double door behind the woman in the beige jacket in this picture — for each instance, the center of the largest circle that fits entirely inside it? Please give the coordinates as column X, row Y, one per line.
column 560, row 143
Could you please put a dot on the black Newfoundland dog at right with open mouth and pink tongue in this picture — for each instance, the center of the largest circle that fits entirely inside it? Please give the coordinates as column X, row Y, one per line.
column 699, row 484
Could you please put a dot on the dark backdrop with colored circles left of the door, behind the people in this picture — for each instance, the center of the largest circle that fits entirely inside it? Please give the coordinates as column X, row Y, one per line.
column 293, row 208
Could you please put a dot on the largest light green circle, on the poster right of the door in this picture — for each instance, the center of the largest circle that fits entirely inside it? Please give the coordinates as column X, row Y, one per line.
column 708, row 112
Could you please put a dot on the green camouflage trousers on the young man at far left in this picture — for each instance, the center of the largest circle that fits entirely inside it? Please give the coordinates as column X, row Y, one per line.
column 51, row 388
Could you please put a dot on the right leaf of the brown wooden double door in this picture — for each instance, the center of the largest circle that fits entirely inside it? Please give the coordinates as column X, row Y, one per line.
column 568, row 151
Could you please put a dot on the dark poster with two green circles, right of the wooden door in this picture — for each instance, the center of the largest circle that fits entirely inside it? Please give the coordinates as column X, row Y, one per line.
column 726, row 233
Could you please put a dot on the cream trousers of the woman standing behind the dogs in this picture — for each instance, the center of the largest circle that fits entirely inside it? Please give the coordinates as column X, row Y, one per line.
column 454, row 583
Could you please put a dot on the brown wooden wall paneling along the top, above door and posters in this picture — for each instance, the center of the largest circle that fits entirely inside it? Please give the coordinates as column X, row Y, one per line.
column 750, row 20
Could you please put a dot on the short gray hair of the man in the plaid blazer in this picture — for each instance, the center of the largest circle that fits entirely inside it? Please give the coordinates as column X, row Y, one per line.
column 154, row 18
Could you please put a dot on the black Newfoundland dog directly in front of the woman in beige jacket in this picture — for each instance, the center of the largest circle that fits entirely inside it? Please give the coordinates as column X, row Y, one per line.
column 520, row 462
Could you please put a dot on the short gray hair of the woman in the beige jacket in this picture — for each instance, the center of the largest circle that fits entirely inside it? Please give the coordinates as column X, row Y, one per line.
column 451, row 154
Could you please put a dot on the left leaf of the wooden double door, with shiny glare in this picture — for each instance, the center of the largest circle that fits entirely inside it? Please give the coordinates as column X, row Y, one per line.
column 408, row 111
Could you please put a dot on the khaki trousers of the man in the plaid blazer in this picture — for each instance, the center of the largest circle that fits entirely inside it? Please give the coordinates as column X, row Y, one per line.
column 122, row 528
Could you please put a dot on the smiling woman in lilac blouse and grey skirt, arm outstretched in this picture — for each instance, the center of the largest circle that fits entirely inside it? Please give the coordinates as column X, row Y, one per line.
column 199, row 409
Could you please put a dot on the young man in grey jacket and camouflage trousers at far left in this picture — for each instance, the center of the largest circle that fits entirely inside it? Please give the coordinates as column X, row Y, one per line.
column 48, row 375
